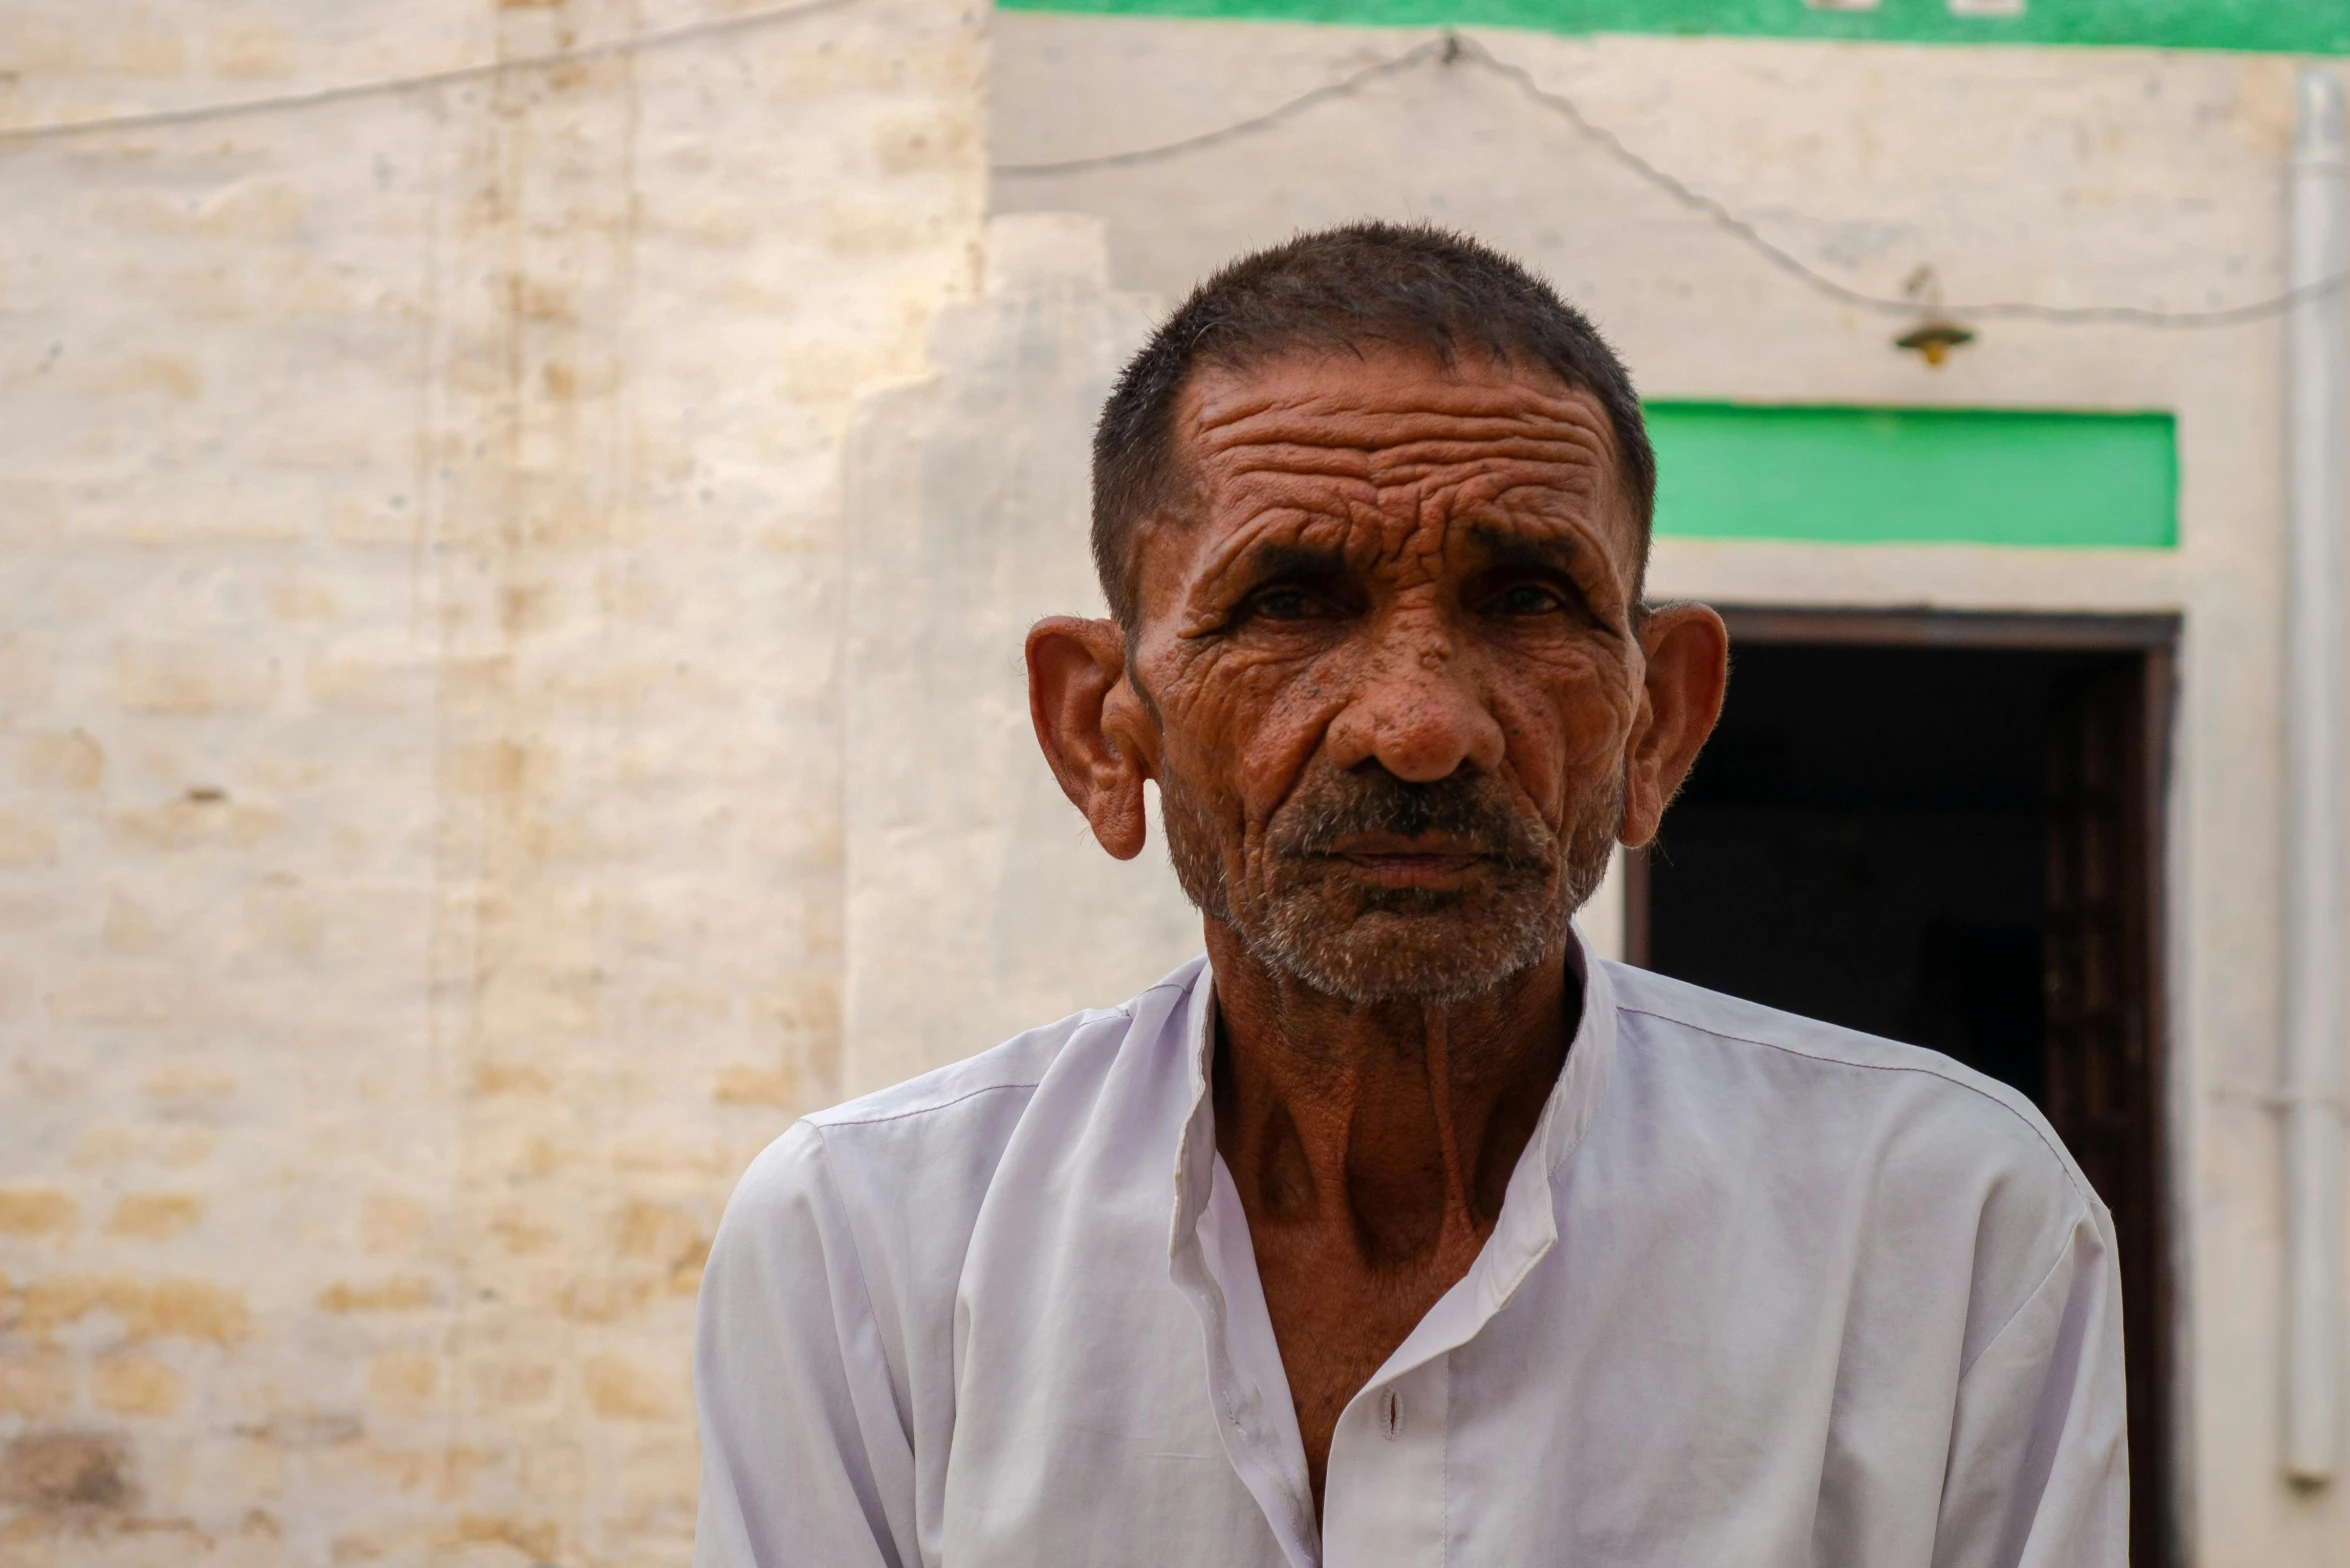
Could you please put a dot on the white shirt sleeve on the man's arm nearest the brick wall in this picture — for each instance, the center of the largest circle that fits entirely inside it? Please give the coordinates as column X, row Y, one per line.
column 805, row 1442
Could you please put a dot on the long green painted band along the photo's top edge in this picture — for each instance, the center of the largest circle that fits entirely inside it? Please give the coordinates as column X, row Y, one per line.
column 2281, row 27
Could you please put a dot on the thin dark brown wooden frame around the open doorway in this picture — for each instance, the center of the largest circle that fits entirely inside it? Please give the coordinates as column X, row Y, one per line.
column 2158, row 1468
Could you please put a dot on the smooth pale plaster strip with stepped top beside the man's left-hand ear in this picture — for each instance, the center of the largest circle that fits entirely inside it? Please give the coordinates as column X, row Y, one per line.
column 979, row 906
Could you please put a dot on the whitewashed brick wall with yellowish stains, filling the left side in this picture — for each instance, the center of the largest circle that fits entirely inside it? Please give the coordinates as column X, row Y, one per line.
column 422, row 742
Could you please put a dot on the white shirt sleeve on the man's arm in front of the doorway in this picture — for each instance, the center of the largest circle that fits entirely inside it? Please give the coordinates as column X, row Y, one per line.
column 2039, row 1449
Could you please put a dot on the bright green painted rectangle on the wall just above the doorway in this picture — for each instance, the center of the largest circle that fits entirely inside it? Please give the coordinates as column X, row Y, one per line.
column 1916, row 476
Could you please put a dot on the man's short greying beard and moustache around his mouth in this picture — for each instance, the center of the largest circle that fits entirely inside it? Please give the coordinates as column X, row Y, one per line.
column 1310, row 920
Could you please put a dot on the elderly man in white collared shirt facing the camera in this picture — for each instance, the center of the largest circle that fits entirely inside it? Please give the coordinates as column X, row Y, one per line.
column 1399, row 1228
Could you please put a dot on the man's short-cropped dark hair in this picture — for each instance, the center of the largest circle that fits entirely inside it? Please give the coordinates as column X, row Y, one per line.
column 1345, row 290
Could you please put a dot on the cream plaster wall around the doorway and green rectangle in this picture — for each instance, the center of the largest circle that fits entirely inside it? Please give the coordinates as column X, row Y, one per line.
column 2043, row 175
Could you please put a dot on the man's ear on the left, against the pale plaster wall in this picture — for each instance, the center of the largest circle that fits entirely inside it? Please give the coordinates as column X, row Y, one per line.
column 1089, row 725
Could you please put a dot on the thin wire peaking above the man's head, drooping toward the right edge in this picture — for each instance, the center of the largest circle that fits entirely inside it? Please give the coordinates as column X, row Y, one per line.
column 1456, row 51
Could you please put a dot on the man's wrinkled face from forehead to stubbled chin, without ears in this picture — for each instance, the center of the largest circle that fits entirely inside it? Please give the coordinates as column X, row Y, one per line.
column 1392, row 657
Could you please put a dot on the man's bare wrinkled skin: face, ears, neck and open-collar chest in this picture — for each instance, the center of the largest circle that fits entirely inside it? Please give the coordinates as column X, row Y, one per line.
column 1399, row 697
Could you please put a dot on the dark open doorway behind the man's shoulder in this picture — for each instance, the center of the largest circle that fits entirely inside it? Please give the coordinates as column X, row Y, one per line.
column 1947, row 831
